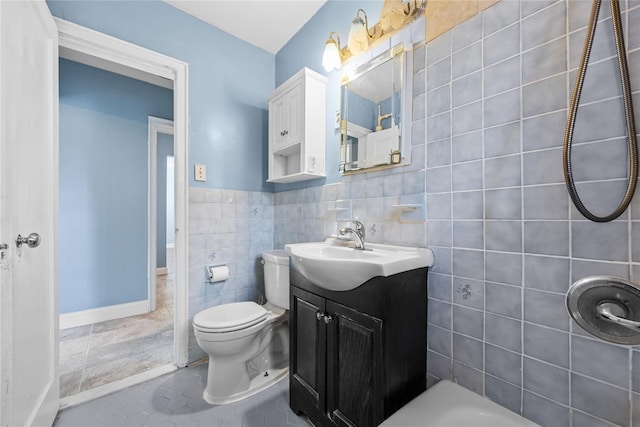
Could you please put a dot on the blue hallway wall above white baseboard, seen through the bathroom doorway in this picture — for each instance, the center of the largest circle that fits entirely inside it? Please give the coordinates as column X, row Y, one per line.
column 103, row 185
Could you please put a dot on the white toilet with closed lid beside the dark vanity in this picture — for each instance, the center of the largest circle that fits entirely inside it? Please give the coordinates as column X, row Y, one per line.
column 247, row 343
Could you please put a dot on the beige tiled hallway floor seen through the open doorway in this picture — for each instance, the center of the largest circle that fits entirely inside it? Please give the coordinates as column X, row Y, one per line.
column 101, row 353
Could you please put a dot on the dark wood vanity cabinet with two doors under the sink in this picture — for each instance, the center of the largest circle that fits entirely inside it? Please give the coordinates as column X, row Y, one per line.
column 357, row 356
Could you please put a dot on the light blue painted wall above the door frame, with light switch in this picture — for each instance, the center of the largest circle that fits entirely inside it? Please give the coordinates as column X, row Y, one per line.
column 229, row 83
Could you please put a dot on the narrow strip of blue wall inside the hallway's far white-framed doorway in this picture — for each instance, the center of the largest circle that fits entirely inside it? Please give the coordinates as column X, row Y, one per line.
column 165, row 149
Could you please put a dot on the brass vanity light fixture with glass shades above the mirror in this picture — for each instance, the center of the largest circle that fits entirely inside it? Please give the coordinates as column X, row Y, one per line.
column 395, row 15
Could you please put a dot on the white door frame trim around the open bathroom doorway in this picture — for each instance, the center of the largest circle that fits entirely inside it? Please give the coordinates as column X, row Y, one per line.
column 96, row 49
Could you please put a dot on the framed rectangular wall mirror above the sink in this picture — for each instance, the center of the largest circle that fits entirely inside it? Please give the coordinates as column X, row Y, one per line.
column 375, row 113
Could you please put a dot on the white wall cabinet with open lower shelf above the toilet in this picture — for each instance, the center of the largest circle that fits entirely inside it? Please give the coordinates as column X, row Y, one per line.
column 297, row 128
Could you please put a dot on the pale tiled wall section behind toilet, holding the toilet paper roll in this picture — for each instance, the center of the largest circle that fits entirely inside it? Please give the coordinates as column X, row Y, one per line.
column 226, row 227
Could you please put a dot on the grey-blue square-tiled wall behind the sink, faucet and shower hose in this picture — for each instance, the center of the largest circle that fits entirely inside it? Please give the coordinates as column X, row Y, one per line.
column 507, row 241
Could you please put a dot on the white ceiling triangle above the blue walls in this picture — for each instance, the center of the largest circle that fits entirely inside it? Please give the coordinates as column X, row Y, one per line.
column 267, row 24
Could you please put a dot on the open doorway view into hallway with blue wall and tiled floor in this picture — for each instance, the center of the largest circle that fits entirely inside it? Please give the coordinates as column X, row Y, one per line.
column 111, row 326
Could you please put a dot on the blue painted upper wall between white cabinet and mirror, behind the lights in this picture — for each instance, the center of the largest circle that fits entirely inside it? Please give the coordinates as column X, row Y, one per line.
column 305, row 50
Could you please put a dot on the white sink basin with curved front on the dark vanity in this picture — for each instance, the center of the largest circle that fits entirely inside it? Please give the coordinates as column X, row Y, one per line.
column 341, row 268
